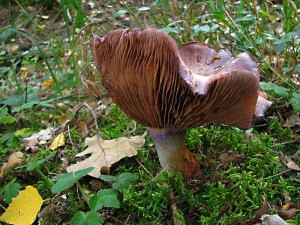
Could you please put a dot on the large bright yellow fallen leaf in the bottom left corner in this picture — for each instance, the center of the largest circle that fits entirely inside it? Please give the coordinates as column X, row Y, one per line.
column 23, row 208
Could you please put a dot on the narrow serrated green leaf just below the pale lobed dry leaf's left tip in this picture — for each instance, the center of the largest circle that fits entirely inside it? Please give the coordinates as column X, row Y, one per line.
column 67, row 180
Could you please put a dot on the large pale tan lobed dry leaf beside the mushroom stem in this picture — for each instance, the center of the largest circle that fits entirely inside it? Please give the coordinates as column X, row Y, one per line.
column 106, row 152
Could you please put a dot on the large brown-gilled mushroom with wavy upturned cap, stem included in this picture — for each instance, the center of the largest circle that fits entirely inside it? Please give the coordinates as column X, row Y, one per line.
column 170, row 89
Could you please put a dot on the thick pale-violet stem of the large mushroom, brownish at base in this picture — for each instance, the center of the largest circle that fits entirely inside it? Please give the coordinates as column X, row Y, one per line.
column 173, row 153
